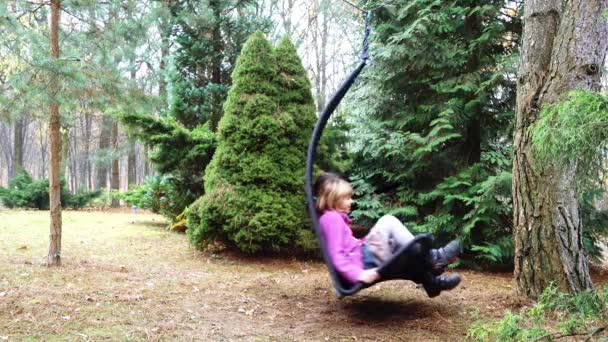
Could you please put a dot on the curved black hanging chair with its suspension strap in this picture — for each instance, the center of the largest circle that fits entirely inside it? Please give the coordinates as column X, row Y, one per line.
column 408, row 262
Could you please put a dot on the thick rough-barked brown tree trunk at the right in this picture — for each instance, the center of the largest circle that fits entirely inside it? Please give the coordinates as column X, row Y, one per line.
column 563, row 48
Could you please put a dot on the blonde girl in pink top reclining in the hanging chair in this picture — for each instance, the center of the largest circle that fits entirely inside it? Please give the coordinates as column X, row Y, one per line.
column 357, row 260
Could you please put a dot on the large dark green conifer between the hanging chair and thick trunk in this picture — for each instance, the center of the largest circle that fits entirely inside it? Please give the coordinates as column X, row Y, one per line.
column 432, row 137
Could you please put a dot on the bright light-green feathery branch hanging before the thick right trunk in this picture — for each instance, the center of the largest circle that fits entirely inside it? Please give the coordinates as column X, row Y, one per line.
column 575, row 132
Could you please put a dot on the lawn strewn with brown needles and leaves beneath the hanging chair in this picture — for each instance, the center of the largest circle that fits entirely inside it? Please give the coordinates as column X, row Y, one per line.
column 125, row 278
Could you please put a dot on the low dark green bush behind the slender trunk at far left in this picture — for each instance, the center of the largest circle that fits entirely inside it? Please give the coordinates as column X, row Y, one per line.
column 25, row 192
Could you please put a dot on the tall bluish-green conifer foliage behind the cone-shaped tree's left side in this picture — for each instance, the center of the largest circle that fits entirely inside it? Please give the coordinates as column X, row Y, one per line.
column 210, row 35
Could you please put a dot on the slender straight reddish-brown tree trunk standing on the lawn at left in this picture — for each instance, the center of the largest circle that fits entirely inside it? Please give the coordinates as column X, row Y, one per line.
column 54, row 256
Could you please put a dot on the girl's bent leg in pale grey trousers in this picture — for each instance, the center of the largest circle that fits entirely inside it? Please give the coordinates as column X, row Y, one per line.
column 387, row 235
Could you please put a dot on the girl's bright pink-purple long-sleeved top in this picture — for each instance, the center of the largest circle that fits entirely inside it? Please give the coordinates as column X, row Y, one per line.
column 344, row 249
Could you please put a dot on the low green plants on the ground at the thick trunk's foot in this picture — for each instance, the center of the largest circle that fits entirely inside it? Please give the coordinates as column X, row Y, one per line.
column 555, row 315
